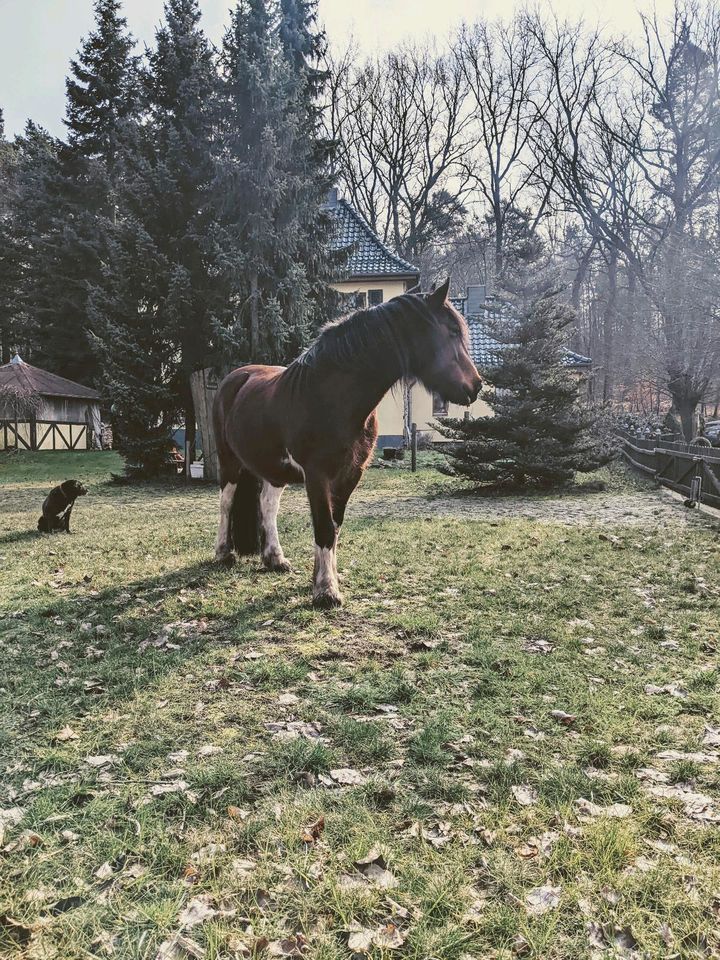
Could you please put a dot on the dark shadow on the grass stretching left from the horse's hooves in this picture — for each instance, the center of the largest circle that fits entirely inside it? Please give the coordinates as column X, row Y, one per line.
column 53, row 677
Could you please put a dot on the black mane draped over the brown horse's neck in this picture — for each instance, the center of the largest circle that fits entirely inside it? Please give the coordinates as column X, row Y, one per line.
column 367, row 334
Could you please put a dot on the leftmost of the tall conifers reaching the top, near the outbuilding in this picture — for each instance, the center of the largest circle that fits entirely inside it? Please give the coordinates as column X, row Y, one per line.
column 80, row 192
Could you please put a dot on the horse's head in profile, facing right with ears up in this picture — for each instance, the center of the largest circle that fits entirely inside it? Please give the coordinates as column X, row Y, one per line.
column 443, row 361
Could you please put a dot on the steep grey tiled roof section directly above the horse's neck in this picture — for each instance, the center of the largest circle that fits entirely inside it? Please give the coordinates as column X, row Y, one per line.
column 367, row 254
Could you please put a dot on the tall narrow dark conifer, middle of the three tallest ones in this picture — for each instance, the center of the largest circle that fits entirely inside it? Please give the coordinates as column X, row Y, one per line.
column 181, row 84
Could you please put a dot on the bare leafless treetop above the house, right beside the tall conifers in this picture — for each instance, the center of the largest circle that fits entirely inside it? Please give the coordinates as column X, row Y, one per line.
column 403, row 133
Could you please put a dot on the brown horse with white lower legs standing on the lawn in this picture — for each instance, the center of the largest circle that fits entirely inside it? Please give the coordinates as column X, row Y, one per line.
column 314, row 422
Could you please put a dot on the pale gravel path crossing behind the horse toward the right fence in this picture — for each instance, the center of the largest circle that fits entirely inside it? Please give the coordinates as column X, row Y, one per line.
column 651, row 508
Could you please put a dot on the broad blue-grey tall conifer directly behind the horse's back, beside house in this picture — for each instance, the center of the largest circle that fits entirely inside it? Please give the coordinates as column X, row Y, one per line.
column 272, row 179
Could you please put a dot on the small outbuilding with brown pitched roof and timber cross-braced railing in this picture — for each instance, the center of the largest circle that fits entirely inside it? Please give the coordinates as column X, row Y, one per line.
column 41, row 411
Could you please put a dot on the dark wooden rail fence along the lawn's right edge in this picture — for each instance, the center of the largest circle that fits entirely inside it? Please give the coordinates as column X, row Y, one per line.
column 683, row 467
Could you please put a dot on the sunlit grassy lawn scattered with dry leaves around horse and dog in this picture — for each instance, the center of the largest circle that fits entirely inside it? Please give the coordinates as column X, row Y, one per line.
column 505, row 744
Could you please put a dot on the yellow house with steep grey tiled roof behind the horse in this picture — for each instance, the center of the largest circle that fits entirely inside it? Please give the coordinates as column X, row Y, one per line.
column 374, row 274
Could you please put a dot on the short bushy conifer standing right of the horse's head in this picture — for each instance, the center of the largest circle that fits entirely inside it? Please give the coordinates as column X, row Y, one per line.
column 540, row 434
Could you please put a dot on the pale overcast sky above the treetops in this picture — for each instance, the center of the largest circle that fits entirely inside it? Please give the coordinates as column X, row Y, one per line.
column 38, row 37
